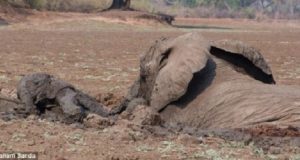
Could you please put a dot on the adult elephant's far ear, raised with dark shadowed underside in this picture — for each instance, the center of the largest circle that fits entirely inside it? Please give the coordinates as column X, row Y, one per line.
column 245, row 57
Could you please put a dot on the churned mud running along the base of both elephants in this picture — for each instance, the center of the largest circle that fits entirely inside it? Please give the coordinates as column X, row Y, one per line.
column 264, row 136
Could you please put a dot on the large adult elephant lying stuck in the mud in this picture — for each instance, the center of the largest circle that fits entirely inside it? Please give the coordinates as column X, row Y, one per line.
column 223, row 84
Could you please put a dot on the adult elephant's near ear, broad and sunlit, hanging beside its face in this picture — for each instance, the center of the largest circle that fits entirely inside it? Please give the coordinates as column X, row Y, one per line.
column 183, row 56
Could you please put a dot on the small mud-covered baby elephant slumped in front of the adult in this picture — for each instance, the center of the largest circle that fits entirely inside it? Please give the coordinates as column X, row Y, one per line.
column 38, row 91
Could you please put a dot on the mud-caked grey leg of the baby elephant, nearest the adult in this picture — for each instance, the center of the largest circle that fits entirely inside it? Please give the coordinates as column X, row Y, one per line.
column 66, row 99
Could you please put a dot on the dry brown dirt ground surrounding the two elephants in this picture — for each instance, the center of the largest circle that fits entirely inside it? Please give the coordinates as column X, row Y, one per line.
column 99, row 54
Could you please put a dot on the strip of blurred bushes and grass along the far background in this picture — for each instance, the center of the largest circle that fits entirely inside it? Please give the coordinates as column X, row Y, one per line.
column 185, row 8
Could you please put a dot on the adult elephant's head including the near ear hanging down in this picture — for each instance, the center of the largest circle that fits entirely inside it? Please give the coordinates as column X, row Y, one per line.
column 168, row 67
